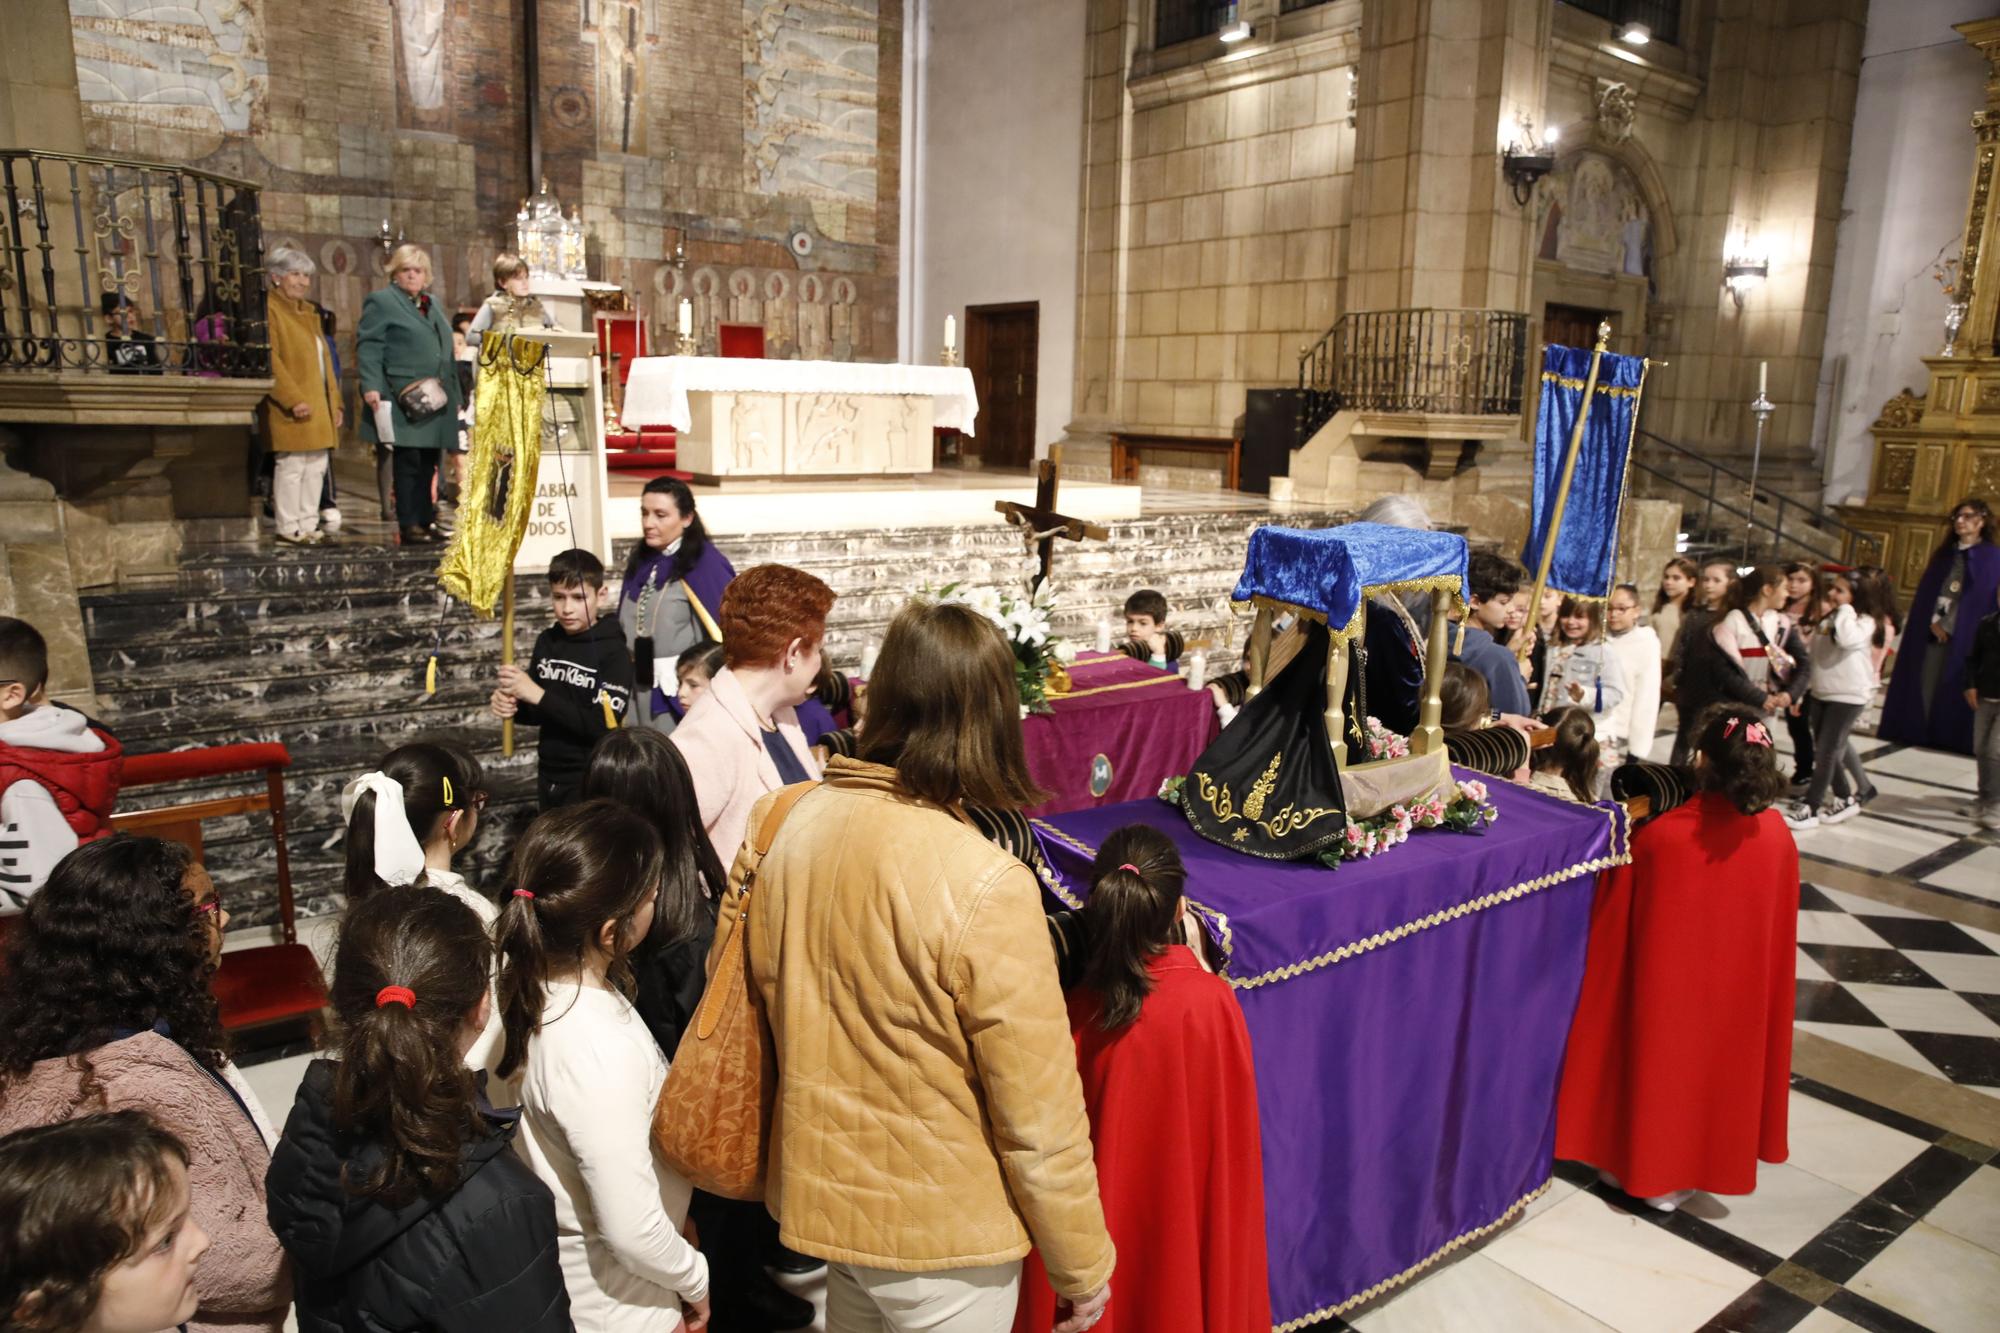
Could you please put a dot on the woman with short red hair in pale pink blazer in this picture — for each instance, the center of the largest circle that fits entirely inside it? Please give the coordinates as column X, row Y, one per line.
column 743, row 738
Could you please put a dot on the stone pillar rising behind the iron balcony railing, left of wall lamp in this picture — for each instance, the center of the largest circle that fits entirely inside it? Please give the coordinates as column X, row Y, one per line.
column 1441, row 87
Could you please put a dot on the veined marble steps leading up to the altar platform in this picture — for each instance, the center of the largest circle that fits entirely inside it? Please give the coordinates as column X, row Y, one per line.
column 325, row 651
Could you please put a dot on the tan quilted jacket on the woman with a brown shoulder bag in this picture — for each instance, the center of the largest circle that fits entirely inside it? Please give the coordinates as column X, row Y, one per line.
column 929, row 1106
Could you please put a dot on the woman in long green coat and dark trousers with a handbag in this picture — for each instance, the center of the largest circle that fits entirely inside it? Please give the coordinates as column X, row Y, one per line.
column 405, row 341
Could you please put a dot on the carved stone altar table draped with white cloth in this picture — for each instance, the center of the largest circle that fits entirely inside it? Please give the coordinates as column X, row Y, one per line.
column 799, row 419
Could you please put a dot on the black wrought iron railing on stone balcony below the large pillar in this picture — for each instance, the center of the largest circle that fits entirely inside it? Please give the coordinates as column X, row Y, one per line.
column 1467, row 363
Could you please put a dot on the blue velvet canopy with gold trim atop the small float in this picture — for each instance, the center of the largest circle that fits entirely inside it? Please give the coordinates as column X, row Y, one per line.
column 1331, row 573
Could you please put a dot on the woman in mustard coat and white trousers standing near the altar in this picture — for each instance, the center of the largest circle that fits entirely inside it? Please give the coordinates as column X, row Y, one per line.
column 303, row 409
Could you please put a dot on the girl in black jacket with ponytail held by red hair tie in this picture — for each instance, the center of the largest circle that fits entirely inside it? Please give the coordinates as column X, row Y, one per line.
column 395, row 1188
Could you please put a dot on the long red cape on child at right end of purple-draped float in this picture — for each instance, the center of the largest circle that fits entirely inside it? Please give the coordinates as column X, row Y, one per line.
column 1681, row 1054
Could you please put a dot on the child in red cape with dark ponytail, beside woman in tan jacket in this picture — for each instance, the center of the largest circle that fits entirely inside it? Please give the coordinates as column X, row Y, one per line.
column 1173, row 1114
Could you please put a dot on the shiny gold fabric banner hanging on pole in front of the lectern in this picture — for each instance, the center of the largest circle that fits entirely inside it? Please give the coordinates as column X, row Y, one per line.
column 501, row 471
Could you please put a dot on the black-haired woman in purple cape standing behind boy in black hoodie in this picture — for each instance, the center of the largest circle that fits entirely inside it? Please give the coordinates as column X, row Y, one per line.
column 671, row 599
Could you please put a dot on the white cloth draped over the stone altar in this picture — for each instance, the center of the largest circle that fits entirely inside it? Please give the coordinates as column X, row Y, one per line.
column 657, row 395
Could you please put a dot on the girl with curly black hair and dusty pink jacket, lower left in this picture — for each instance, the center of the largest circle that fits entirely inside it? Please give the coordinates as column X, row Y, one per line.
column 109, row 1008
